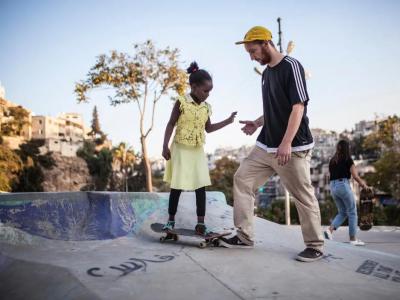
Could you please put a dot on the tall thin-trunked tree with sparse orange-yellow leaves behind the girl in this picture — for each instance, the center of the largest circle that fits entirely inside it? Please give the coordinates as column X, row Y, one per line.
column 149, row 73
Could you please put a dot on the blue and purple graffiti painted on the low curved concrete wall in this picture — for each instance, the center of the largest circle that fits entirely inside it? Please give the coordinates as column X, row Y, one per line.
column 71, row 216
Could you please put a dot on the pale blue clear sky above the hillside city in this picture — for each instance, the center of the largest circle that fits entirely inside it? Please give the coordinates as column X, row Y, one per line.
column 350, row 48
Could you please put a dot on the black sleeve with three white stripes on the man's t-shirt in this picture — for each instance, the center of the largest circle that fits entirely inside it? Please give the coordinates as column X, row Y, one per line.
column 296, row 82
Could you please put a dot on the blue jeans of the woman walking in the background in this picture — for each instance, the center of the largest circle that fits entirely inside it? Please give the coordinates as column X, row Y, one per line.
column 345, row 203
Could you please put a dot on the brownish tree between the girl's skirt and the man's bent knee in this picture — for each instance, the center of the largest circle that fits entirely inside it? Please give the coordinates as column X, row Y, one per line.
column 222, row 177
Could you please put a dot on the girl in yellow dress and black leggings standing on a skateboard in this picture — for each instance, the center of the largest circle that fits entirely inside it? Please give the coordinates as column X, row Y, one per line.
column 187, row 167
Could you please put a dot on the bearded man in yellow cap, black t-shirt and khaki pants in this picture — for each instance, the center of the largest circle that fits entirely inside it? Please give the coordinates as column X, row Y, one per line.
column 283, row 146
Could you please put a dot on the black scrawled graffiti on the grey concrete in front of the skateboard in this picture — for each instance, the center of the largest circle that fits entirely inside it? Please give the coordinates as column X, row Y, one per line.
column 132, row 265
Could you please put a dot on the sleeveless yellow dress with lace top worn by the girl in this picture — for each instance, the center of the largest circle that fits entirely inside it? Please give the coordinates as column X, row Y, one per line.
column 188, row 167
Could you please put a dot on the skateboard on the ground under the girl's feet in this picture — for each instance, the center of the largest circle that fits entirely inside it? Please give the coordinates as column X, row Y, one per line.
column 211, row 239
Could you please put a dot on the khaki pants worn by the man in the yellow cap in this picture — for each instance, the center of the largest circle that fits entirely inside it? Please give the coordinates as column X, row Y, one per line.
column 295, row 176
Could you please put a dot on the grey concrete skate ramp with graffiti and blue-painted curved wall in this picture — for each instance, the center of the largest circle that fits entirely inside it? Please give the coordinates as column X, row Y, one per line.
column 99, row 245
